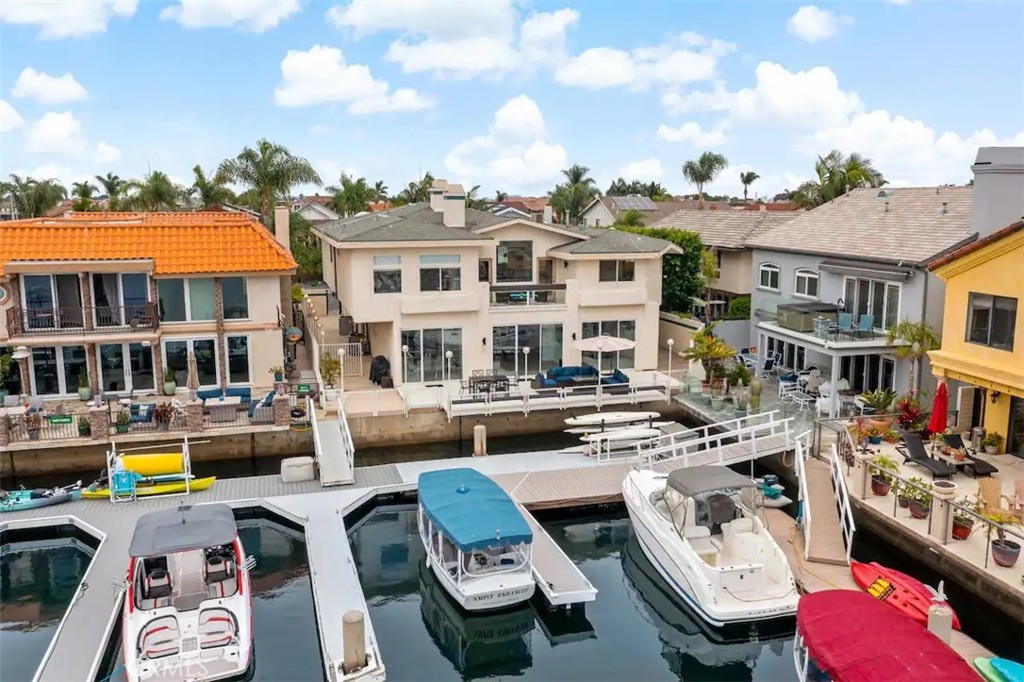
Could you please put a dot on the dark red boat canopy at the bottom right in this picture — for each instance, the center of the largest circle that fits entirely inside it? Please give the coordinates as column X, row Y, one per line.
column 855, row 637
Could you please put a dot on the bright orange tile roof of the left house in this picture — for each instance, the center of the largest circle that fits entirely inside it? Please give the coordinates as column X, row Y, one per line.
column 178, row 243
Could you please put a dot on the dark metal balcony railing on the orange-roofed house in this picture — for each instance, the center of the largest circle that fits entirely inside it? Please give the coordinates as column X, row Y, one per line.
column 80, row 321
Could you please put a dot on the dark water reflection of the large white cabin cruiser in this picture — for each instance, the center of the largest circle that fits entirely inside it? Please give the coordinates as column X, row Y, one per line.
column 694, row 650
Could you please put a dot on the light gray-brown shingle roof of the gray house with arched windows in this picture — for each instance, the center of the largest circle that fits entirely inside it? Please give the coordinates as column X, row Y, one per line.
column 904, row 225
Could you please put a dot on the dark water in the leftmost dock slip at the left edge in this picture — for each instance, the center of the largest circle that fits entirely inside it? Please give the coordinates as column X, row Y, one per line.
column 37, row 582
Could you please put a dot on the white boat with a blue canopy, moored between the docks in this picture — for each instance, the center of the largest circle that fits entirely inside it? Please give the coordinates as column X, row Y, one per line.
column 478, row 542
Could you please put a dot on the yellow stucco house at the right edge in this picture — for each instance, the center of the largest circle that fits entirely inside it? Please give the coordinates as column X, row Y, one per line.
column 984, row 333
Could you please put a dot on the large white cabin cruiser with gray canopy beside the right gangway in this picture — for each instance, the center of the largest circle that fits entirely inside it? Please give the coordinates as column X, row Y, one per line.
column 699, row 529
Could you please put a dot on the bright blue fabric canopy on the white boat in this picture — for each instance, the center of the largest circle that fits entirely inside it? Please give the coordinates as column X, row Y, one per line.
column 473, row 510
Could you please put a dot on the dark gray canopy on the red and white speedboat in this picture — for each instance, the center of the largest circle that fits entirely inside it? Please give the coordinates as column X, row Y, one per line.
column 187, row 528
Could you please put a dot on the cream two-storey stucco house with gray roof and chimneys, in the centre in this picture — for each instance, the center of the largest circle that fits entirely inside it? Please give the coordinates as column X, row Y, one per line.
column 443, row 291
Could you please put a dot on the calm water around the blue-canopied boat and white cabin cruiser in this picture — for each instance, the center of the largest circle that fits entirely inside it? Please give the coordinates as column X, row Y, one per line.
column 635, row 630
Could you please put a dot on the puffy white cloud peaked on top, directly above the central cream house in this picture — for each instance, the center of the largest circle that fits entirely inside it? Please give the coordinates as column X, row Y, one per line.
column 514, row 154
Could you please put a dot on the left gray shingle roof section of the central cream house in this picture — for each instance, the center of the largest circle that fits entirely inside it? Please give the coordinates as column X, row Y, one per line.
column 415, row 223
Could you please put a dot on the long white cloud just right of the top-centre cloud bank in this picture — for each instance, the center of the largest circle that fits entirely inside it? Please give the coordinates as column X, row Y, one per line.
column 689, row 59
